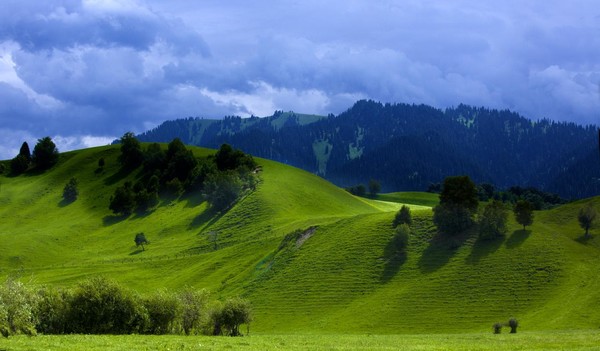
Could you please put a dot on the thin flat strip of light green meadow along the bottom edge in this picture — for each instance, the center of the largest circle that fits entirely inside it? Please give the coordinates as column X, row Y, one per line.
column 546, row 340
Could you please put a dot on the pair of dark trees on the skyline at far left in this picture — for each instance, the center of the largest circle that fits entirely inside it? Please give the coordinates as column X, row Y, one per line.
column 45, row 155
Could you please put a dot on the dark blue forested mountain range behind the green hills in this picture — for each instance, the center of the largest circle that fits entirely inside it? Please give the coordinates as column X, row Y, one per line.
column 408, row 147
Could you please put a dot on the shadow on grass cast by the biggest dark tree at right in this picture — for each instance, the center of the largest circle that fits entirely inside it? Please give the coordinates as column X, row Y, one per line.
column 441, row 248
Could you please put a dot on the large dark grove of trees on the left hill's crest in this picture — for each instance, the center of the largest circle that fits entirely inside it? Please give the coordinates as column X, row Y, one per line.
column 222, row 178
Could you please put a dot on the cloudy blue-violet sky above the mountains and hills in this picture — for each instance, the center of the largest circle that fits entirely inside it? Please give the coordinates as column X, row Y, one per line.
column 84, row 72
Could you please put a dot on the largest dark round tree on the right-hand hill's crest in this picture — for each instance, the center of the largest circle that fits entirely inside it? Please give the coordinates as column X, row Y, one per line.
column 458, row 203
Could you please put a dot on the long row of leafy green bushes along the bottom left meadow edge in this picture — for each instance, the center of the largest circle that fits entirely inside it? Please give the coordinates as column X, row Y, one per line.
column 102, row 306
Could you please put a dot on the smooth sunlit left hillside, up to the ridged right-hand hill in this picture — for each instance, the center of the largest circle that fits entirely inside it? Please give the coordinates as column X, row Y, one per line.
column 52, row 241
